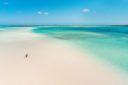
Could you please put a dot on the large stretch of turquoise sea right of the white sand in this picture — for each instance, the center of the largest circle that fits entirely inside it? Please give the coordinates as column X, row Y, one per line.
column 108, row 43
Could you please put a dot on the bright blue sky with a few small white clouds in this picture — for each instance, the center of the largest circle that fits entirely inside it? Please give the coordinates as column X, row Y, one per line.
column 63, row 12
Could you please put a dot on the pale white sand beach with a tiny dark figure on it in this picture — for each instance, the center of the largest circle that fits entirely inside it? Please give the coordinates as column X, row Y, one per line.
column 49, row 62
